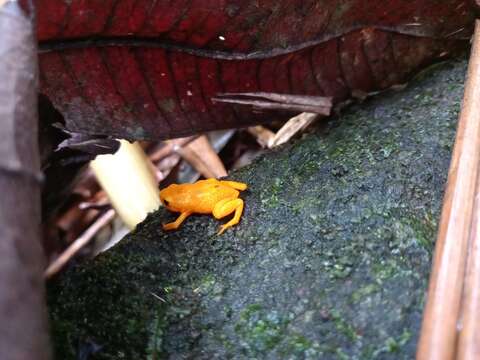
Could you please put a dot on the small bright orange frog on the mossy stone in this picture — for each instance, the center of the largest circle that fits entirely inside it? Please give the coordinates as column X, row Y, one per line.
column 211, row 196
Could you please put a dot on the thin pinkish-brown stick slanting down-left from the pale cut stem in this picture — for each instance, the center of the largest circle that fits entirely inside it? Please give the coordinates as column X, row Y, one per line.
column 79, row 243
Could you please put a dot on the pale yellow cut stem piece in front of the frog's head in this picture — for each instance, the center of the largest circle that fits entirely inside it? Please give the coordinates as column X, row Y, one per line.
column 129, row 182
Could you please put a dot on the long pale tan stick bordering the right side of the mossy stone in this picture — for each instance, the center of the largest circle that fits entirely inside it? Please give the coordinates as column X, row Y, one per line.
column 439, row 327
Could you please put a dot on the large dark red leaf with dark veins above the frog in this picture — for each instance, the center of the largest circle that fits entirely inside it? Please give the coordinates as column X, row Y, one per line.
column 145, row 68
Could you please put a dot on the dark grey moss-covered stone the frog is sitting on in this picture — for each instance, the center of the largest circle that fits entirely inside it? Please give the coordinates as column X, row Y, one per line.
column 331, row 258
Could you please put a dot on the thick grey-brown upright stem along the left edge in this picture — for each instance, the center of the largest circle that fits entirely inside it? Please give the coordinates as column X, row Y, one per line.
column 23, row 320
